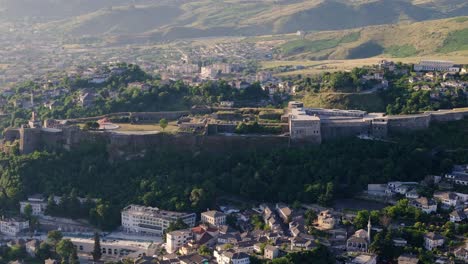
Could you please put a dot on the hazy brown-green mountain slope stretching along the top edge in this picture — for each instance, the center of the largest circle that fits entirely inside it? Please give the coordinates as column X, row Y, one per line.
column 168, row 20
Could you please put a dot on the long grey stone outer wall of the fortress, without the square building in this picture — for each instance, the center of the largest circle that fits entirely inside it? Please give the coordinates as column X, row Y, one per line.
column 32, row 139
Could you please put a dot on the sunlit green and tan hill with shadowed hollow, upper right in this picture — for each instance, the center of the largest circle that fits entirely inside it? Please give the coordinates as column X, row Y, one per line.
column 400, row 40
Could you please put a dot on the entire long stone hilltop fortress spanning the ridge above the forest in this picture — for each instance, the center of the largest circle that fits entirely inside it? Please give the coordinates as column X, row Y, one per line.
column 300, row 126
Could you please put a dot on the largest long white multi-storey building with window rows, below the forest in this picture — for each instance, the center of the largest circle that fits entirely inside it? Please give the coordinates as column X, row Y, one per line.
column 151, row 220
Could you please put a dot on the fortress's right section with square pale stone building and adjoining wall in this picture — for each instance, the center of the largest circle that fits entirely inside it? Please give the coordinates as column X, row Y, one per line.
column 317, row 124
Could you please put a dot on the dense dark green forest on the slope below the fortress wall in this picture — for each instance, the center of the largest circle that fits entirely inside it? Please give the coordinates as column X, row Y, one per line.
column 192, row 181
